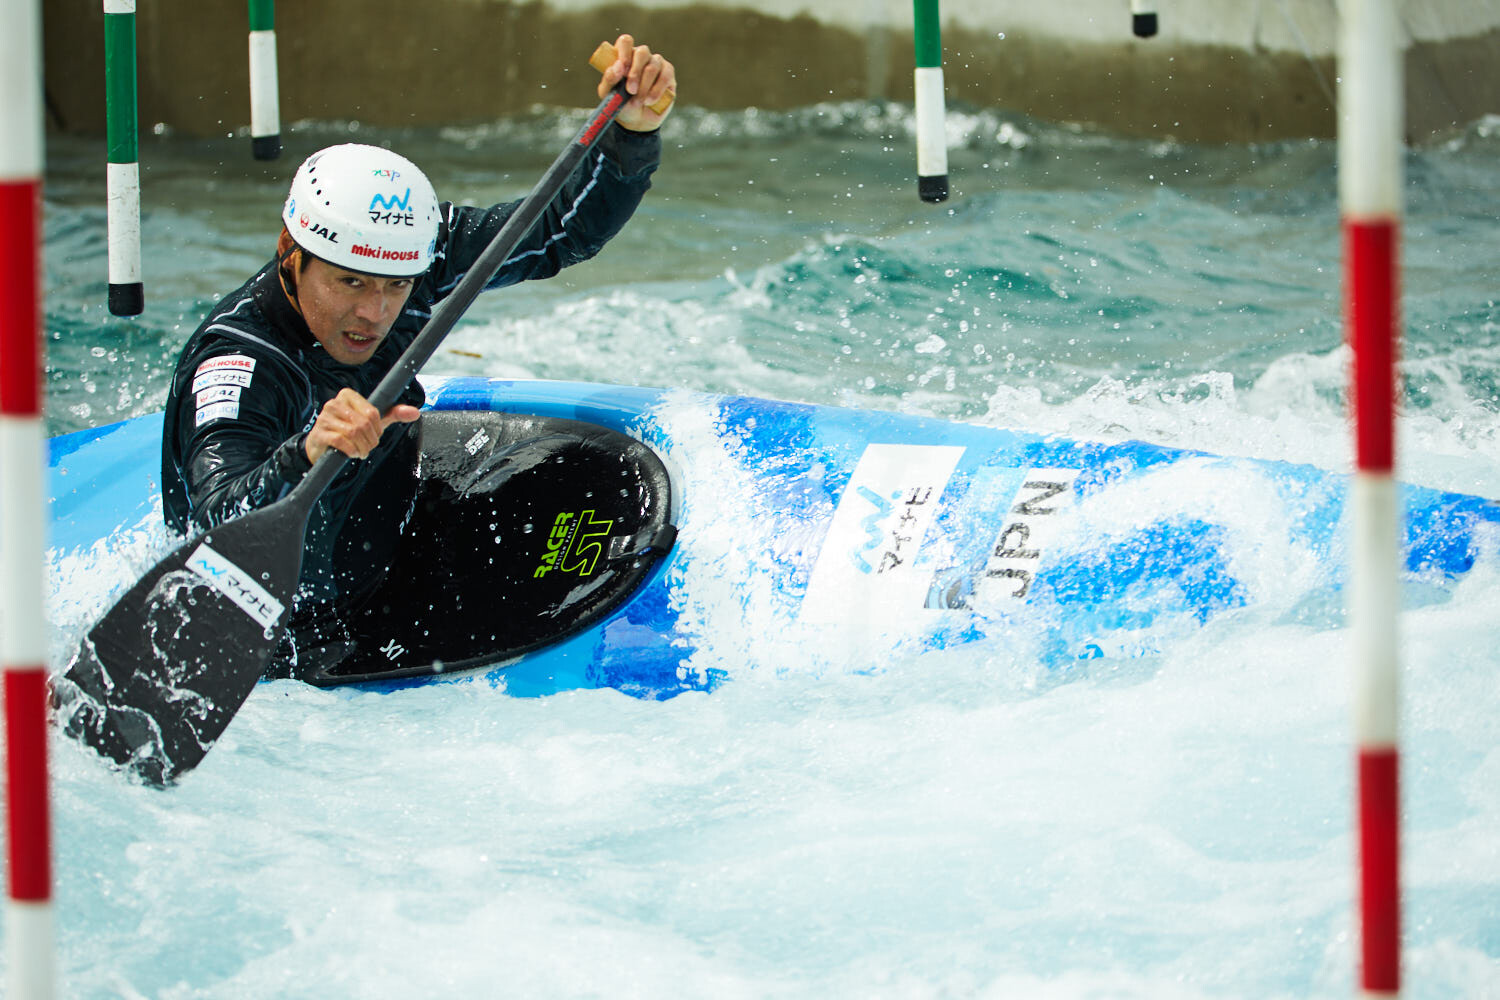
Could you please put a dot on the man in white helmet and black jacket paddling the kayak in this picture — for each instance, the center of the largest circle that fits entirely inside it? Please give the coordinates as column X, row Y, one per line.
column 281, row 368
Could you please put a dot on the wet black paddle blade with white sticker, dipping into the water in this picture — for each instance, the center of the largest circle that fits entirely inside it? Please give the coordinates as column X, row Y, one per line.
column 158, row 680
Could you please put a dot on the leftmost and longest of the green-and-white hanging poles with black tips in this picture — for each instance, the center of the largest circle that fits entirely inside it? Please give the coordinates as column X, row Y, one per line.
column 124, row 172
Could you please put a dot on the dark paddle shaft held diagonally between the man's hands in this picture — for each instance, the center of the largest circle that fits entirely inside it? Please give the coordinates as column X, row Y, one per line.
column 469, row 289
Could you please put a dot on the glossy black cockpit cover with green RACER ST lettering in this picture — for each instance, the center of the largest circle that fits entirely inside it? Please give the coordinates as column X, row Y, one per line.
column 527, row 530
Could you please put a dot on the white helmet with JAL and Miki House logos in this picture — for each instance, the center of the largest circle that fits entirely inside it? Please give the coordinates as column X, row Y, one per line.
column 364, row 209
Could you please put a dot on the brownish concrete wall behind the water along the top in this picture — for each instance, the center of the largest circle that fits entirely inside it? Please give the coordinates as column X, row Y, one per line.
column 1219, row 71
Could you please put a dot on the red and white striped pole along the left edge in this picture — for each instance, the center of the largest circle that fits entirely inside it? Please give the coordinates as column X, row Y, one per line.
column 23, row 624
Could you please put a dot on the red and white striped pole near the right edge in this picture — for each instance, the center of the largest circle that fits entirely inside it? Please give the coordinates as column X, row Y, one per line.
column 1370, row 179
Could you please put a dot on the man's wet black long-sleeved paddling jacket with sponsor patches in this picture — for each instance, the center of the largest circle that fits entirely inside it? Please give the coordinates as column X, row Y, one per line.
column 251, row 380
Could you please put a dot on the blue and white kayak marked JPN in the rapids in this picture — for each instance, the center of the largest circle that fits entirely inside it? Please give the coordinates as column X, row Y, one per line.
column 862, row 534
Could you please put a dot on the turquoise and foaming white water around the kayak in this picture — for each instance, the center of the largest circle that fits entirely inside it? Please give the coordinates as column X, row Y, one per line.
column 949, row 825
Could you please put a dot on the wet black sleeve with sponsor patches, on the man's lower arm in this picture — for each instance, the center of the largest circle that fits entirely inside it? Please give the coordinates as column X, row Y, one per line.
column 241, row 454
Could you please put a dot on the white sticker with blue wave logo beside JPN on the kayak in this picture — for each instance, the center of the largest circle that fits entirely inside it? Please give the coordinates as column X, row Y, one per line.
column 868, row 566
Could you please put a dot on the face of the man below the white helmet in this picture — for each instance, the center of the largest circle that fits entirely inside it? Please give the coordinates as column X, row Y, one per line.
column 350, row 313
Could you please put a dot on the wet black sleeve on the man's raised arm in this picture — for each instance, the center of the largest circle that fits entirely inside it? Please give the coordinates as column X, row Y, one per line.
column 595, row 205
